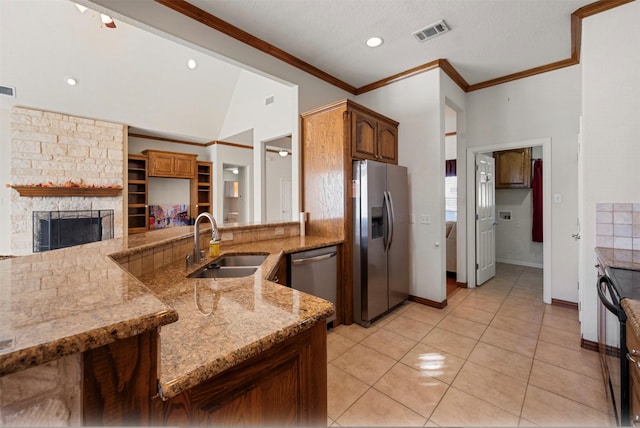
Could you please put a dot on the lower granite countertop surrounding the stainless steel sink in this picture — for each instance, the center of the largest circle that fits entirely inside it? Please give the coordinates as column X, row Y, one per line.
column 225, row 321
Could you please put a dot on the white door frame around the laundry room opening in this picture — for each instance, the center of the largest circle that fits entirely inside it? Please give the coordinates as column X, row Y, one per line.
column 546, row 212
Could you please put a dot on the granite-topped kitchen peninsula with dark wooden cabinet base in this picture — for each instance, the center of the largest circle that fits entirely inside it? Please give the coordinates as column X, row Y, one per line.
column 152, row 347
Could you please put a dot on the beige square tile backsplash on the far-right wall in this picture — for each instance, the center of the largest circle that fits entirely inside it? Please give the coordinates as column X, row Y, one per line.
column 618, row 226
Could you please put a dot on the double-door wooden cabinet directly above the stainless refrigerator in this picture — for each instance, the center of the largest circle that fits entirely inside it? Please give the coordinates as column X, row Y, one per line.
column 373, row 137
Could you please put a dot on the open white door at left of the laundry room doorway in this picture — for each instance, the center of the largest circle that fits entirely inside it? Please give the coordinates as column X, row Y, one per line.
column 485, row 219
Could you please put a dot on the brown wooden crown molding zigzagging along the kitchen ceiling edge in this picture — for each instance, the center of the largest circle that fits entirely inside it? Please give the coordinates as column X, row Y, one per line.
column 193, row 12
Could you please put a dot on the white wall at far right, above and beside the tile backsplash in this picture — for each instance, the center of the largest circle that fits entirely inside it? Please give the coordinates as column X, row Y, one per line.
column 611, row 130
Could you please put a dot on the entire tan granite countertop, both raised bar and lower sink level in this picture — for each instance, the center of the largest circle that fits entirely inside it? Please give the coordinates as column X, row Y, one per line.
column 72, row 300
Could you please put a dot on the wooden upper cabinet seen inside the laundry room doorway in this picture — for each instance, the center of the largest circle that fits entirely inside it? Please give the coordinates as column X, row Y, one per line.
column 513, row 168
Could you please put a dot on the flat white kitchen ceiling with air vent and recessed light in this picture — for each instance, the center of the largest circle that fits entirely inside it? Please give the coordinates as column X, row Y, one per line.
column 488, row 38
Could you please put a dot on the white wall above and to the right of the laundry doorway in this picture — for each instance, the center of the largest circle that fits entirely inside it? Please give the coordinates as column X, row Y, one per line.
column 543, row 106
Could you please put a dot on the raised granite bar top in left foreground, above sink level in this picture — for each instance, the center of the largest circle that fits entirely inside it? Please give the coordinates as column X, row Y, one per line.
column 71, row 300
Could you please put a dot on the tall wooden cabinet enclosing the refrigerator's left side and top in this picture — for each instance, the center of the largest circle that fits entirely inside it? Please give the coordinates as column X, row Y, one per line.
column 332, row 137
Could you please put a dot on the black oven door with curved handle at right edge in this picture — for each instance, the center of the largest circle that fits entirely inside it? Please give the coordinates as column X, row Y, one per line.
column 613, row 349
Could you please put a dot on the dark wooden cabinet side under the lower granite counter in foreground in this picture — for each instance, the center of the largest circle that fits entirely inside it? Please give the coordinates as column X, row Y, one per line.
column 283, row 386
